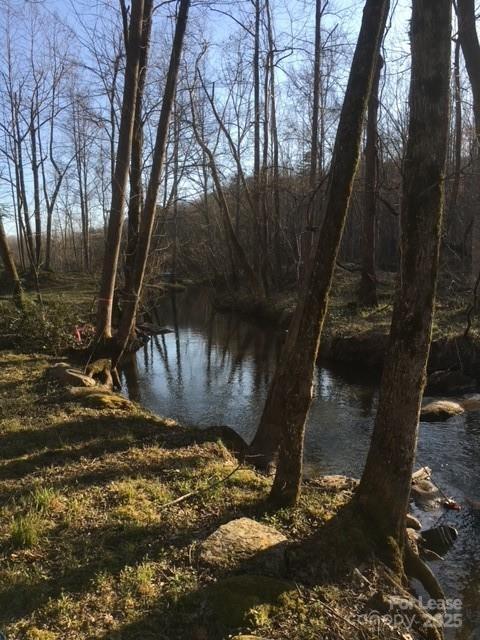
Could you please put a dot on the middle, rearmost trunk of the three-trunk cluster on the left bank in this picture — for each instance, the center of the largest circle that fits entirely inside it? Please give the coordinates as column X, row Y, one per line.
column 135, row 202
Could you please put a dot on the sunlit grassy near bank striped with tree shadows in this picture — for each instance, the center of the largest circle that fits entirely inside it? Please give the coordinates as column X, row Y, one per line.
column 104, row 512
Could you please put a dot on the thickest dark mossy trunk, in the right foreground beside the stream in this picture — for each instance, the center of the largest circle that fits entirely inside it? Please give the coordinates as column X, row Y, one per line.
column 385, row 486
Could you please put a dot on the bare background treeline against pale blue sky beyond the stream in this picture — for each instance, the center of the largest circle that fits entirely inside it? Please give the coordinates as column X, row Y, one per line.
column 250, row 141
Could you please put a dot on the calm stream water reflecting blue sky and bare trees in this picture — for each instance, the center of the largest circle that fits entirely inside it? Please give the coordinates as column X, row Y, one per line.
column 214, row 369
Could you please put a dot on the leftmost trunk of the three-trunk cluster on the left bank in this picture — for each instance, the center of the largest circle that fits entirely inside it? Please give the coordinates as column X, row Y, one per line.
column 119, row 183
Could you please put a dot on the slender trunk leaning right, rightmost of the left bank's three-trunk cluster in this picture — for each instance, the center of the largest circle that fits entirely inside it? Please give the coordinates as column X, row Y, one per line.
column 132, row 296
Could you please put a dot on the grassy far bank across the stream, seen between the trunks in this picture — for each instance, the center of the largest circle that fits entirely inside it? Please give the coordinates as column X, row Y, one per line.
column 358, row 335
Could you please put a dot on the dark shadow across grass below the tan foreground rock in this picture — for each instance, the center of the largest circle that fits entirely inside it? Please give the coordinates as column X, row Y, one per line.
column 214, row 611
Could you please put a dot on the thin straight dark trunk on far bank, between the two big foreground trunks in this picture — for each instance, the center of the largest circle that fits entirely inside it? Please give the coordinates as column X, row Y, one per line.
column 368, row 283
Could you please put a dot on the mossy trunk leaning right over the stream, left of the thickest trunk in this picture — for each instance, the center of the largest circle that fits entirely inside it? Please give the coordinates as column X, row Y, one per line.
column 290, row 393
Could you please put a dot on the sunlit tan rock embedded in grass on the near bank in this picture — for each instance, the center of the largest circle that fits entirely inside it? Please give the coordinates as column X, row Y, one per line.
column 245, row 541
